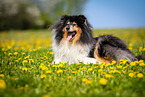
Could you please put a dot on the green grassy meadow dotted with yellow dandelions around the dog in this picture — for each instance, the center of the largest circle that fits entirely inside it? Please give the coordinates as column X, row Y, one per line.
column 26, row 68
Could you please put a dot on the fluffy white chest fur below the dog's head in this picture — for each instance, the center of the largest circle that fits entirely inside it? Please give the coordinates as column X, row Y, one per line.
column 70, row 53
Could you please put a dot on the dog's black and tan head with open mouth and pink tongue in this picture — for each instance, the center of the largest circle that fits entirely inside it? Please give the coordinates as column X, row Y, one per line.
column 74, row 28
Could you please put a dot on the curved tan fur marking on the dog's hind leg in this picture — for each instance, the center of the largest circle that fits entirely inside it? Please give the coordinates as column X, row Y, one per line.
column 97, row 56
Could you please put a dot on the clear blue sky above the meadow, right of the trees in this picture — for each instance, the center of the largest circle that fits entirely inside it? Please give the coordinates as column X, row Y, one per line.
column 115, row 13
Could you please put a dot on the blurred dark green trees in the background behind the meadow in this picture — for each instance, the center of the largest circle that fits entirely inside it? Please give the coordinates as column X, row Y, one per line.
column 35, row 14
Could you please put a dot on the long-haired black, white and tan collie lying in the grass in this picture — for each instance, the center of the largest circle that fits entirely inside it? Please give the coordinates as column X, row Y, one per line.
column 73, row 42
